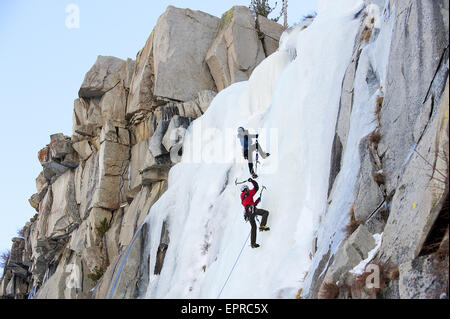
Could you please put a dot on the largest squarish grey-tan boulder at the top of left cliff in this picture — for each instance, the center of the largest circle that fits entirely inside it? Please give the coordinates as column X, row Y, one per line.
column 181, row 41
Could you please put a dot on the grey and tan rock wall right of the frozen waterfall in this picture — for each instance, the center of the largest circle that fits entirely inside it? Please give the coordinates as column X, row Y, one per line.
column 401, row 189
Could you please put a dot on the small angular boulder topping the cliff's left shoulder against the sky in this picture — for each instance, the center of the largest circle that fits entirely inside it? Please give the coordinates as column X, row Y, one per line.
column 106, row 73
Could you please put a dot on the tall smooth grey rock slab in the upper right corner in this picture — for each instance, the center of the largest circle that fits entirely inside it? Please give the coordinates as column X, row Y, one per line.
column 422, row 47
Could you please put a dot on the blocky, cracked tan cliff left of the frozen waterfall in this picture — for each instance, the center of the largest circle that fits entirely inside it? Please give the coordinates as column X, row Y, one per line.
column 97, row 186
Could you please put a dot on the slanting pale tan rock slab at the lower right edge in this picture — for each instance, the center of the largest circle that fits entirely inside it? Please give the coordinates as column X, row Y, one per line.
column 422, row 208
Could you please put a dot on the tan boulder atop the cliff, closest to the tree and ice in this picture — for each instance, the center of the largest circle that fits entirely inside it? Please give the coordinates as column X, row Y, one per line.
column 236, row 50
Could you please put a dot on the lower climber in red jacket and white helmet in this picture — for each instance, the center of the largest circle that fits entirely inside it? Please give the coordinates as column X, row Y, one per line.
column 251, row 211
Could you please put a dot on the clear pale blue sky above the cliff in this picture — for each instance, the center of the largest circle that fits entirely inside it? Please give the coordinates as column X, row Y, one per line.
column 42, row 65
